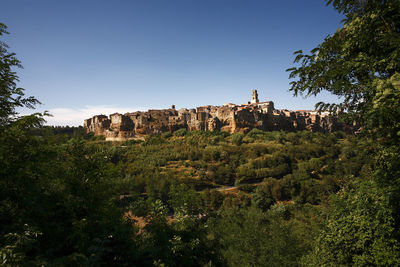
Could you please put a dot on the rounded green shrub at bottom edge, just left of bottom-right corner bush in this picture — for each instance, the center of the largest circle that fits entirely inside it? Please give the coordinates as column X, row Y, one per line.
column 250, row 237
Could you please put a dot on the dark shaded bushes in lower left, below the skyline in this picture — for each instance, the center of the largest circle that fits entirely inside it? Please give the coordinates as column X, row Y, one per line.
column 65, row 194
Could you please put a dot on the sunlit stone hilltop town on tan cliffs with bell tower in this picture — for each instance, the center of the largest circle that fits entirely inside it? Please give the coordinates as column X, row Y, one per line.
column 229, row 117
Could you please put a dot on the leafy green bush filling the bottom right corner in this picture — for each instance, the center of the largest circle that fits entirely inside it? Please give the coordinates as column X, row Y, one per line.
column 359, row 230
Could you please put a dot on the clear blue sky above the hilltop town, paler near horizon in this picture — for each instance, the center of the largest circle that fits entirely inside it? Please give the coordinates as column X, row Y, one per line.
column 86, row 57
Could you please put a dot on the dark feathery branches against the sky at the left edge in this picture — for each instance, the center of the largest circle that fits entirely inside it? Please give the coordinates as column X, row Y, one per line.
column 11, row 96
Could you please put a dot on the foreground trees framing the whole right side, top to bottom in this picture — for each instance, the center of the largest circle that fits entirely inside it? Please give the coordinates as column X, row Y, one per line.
column 360, row 63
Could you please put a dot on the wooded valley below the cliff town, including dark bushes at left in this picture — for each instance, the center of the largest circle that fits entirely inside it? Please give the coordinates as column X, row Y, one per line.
column 182, row 198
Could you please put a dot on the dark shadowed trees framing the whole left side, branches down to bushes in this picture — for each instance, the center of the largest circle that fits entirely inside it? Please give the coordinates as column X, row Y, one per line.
column 56, row 201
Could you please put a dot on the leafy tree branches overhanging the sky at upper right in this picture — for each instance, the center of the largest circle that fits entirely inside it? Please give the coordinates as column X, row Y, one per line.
column 349, row 62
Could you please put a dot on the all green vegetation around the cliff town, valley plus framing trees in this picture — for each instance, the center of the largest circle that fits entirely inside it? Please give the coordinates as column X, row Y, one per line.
column 212, row 198
